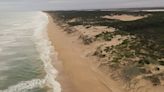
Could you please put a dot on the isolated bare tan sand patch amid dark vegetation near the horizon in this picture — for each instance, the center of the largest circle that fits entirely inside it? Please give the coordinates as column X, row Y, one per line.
column 124, row 17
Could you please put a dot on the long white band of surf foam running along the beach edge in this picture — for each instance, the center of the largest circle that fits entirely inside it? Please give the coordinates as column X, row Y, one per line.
column 45, row 49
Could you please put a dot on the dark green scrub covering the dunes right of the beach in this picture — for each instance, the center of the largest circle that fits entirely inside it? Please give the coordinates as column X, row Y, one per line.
column 139, row 53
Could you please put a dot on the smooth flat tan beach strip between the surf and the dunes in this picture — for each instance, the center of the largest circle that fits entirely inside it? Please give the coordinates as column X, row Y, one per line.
column 76, row 74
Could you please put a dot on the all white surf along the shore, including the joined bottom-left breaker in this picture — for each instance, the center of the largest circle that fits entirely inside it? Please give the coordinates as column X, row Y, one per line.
column 45, row 50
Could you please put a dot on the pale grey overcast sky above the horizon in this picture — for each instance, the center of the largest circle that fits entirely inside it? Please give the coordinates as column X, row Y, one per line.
column 75, row 4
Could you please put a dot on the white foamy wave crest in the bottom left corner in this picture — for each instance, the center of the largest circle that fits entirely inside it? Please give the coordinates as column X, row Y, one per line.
column 25, row 85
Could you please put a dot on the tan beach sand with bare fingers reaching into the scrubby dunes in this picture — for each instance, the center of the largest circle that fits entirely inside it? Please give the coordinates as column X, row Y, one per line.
column 78, row 73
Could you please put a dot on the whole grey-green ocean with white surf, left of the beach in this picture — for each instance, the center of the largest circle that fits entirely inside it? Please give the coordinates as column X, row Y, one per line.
column 25, row 53
